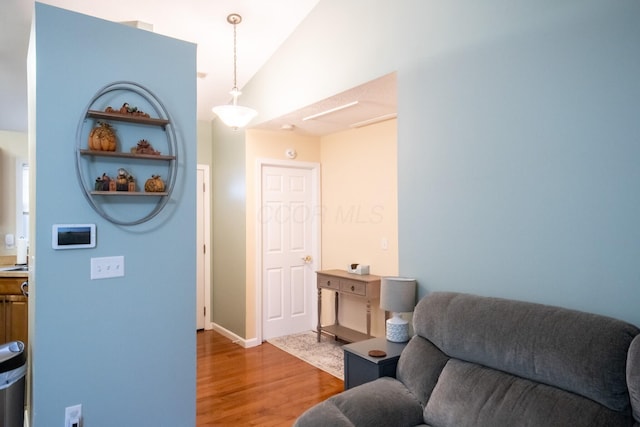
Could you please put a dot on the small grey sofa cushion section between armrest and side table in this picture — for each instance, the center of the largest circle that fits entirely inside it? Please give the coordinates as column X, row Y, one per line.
column 419, row 367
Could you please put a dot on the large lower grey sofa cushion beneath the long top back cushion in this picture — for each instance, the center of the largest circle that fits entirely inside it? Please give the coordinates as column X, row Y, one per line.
column 472, row 395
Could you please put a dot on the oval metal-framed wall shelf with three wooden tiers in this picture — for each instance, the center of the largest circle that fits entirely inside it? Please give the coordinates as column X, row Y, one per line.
column 92, row 163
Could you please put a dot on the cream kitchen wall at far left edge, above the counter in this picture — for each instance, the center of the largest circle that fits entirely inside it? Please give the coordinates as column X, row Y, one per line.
column 13, row 146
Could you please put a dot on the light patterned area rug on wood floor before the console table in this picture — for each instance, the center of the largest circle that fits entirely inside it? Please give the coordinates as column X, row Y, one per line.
column 326, row 354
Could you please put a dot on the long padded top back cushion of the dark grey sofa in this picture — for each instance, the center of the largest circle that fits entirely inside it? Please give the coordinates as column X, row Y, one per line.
column 580, row 352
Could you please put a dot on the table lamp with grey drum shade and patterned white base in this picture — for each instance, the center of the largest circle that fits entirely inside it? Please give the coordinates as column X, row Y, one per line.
column 398, row 295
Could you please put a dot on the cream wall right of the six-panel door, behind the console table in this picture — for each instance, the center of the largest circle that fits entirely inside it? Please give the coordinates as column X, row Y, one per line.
column 359, row 200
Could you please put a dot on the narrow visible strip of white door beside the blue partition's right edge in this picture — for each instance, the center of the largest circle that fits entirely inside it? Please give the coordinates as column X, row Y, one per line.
column 203, row 270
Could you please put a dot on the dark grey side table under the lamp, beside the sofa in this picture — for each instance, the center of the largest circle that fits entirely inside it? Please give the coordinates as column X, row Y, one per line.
column 360, row 368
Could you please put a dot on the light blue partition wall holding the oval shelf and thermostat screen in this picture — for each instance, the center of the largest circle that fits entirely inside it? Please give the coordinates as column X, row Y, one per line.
column 124, row 348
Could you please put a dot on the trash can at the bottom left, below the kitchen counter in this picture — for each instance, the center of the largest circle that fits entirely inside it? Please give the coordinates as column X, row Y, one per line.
column 13, row 368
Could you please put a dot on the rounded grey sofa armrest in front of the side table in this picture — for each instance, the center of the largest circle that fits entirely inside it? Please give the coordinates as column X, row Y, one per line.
column 383, row 402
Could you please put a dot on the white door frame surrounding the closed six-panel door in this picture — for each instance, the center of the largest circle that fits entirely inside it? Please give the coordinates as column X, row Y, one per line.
column 317, row 220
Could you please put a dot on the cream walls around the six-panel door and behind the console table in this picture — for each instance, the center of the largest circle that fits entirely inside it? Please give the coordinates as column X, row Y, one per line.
column 359, row 206
